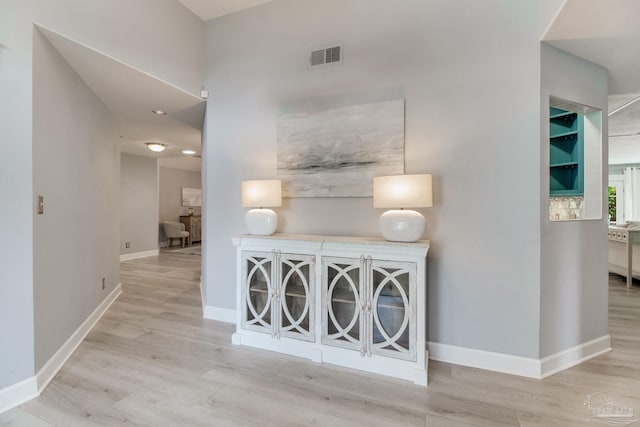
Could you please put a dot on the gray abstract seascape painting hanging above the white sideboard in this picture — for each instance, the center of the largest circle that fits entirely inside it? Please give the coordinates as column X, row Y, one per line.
column 336, row 152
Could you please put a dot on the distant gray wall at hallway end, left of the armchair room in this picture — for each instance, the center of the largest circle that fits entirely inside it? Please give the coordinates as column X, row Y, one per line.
column 138, row 203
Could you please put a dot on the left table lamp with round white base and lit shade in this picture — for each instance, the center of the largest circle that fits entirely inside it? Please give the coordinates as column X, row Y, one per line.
column 259, row 195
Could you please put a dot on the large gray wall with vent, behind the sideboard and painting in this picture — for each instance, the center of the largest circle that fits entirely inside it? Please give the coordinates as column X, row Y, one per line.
column 470, row 74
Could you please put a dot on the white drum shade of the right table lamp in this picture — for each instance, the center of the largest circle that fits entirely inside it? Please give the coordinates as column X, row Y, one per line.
column 402, row 191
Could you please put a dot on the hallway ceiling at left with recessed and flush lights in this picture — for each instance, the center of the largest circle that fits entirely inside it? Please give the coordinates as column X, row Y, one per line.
column 131, row 95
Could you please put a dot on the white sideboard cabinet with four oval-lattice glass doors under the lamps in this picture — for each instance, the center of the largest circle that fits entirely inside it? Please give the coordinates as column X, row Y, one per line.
column 354, row 302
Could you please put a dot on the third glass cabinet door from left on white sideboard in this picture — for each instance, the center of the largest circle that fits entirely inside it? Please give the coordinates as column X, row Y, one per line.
column 341, row 302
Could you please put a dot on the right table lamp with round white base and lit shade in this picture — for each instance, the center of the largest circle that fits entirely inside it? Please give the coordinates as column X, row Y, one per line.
column 398, row 192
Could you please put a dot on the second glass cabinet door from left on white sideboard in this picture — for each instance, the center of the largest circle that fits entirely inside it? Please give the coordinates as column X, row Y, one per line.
column 297, row 302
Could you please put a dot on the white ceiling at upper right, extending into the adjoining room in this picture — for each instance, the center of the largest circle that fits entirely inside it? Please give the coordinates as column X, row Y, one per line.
column 607, row 33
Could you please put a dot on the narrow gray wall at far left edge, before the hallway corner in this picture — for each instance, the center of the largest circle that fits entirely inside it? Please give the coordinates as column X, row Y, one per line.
column 16, row 193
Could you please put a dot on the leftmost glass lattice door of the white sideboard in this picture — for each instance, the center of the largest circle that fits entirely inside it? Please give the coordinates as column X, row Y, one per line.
column 258, row 292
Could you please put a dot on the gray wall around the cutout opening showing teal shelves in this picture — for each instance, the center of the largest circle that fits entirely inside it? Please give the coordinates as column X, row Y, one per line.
column 573, row 288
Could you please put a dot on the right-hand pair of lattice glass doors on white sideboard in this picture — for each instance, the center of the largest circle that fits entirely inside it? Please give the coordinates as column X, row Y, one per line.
column 369, row 305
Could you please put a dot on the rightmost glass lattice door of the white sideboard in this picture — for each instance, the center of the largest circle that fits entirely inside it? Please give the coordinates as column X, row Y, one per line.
column 393, row 309
